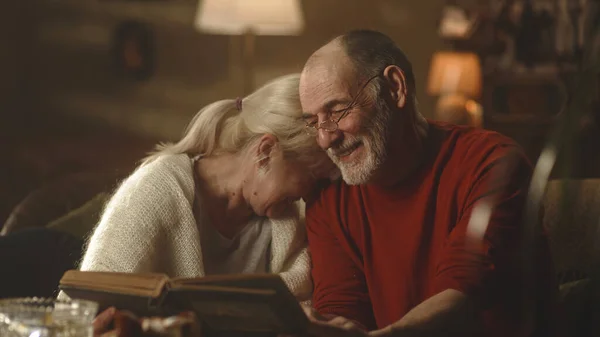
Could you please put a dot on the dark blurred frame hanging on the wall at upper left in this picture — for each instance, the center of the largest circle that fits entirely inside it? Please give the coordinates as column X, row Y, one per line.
column 133, row 50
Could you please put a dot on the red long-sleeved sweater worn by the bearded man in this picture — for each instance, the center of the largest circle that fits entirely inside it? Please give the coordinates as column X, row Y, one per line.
column 378, row 252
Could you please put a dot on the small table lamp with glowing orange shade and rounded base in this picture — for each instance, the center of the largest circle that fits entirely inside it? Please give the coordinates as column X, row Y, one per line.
column 456, row 78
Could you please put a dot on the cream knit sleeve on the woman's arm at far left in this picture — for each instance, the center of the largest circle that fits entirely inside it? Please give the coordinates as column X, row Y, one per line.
column 131, row 231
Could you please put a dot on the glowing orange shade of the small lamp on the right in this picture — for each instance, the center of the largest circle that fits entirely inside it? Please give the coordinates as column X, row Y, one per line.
column 454, row 73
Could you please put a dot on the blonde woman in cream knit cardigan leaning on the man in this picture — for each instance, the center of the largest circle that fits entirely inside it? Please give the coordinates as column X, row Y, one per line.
column 224, row 199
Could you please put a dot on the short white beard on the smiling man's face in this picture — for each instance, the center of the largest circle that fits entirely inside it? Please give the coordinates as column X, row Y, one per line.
column 374, row 140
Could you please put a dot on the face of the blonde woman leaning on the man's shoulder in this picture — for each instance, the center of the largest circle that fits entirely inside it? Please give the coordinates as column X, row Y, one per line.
column 279, row 182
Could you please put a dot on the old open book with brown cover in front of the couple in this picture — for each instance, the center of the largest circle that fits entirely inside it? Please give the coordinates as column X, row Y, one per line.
column 243, row 303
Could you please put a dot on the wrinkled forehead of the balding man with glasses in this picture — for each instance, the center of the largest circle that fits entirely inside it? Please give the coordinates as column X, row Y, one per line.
column 325, row 81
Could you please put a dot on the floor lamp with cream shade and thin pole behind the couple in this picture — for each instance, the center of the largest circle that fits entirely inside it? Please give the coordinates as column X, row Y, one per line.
column 249, row 18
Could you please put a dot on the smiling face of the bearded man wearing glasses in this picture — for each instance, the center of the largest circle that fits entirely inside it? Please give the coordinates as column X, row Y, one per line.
column 358, row 146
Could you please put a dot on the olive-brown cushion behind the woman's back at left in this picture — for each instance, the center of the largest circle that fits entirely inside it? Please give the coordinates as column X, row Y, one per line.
column 81, row 221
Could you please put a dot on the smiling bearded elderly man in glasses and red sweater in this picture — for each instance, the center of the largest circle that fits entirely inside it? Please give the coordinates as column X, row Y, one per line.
column 424, row 236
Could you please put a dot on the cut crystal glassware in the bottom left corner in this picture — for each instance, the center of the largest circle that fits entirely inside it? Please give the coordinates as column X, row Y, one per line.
column 42, row 317
